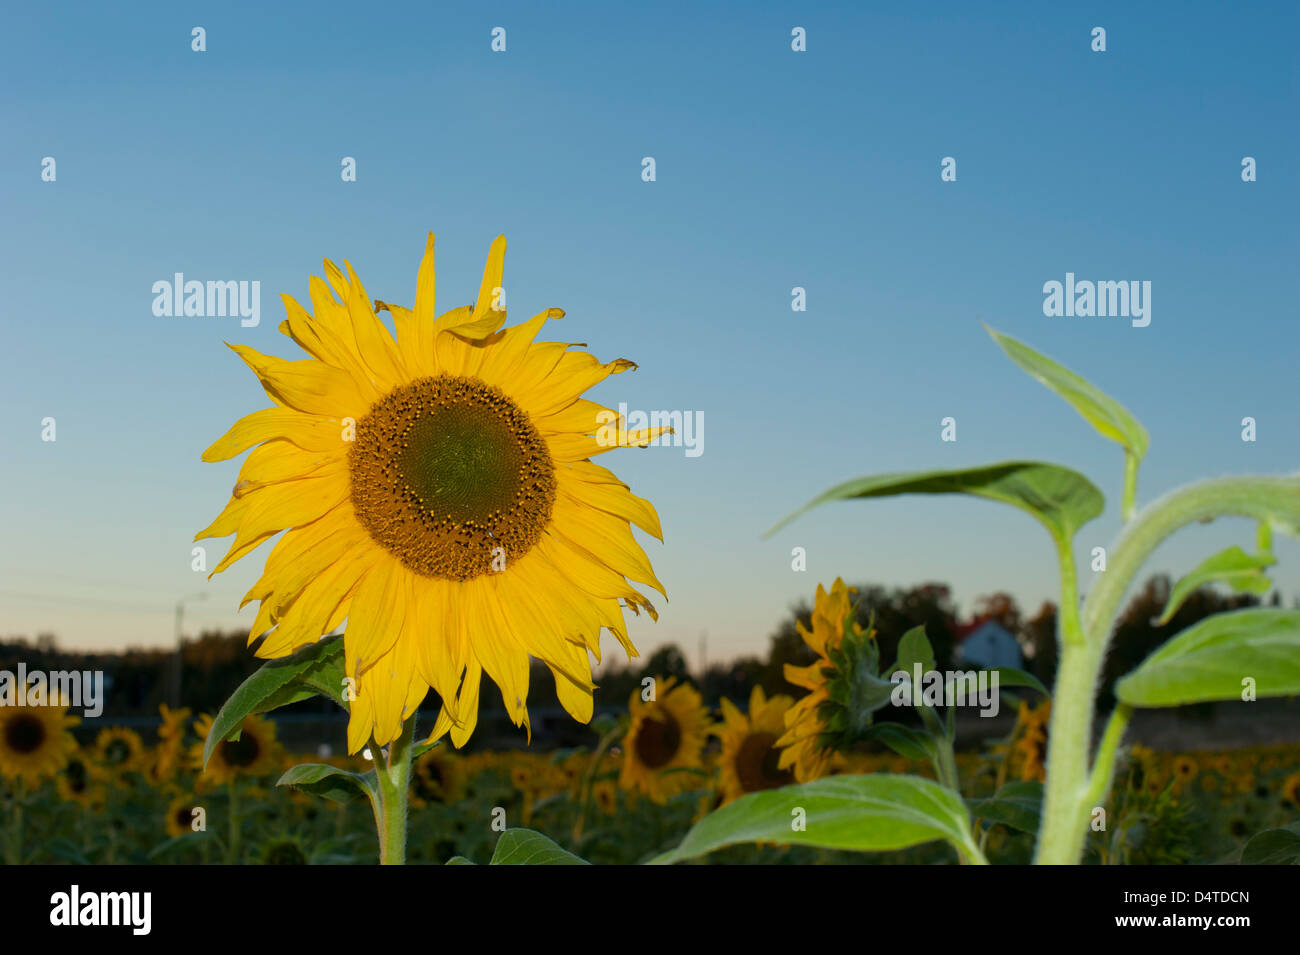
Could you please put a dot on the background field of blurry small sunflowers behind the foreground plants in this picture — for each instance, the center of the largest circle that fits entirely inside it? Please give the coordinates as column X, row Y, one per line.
column 125, row 800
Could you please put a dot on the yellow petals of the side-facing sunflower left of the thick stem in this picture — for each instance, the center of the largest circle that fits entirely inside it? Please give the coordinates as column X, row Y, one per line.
column 811, row 739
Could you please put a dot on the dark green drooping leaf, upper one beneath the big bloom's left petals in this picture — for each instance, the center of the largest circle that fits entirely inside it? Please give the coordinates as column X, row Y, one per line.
column 314, row 671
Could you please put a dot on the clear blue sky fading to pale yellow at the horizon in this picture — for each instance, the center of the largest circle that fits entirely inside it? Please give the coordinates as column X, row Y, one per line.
column 774, row 170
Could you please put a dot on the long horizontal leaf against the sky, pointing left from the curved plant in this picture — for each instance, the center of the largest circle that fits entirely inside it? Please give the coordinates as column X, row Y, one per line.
column 1063, row 500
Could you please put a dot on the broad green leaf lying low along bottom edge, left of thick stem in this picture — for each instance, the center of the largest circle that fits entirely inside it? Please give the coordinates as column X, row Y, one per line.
column 876, row 813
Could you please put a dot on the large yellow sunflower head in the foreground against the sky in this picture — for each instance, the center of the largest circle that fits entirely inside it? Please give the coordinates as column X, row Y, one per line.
column 439, row 494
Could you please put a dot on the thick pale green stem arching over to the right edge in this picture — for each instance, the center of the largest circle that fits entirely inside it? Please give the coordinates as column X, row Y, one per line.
column 1071, row 793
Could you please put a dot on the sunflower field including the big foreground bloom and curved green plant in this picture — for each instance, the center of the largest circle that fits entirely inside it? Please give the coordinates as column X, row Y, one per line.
column 432, row 489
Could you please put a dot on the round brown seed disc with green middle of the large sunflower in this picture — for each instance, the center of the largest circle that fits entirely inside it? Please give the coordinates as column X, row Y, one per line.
column 452, row 477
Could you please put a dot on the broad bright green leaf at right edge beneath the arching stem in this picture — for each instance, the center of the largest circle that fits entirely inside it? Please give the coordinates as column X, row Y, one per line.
column 1210, row 661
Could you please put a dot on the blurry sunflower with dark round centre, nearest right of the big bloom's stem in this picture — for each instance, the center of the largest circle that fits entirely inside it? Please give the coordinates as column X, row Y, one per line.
column 666, row 735
